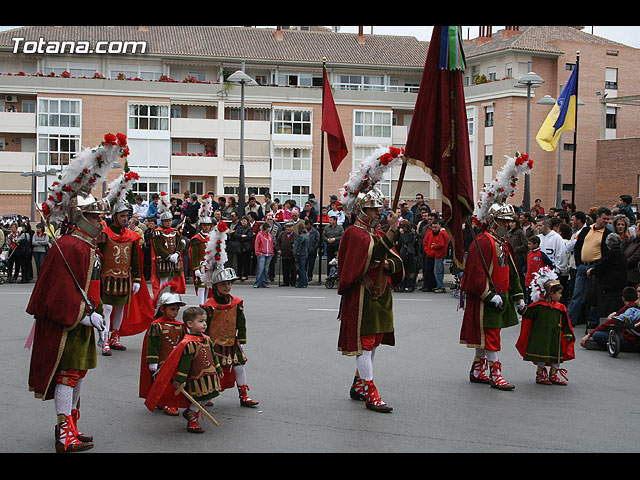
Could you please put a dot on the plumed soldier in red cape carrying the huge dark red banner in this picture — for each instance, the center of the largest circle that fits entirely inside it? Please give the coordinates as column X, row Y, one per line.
column 369, row 269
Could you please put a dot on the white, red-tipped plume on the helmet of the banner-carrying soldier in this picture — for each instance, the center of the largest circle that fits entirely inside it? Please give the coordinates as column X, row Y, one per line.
column 365, row 178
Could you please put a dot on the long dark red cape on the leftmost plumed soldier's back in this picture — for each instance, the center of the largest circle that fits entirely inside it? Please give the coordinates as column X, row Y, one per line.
column 57, row 305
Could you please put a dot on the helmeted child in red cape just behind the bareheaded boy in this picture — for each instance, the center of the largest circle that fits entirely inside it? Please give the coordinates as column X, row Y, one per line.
column 163, row 335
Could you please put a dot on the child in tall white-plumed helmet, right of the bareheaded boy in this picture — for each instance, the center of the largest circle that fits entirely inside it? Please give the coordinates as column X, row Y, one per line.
column 226, row 323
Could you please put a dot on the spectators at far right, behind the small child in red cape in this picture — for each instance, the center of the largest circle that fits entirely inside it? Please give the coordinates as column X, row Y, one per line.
column 595, row 255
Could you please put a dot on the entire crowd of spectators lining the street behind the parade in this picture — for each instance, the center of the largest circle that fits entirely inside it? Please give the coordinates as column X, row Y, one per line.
column 595, row 253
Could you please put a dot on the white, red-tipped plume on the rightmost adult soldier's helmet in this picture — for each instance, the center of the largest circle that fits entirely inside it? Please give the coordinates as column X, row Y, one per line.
column 504, row 185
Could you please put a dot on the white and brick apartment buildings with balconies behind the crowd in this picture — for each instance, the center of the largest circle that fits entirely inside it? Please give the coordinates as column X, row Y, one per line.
column 165, row 87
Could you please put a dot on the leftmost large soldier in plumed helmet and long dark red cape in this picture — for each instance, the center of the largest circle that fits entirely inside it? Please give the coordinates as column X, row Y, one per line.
column 66, row 297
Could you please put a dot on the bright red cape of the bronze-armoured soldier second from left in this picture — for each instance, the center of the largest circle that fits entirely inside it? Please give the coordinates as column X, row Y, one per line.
column 139, row 312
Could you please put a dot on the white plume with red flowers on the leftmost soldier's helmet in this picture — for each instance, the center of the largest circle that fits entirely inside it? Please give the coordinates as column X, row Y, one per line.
column 80, row 175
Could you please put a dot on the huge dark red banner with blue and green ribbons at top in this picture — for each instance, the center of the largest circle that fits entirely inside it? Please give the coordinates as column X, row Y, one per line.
column 438, row 140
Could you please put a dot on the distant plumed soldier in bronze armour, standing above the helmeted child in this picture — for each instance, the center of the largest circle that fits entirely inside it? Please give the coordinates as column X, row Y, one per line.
column 167, row 246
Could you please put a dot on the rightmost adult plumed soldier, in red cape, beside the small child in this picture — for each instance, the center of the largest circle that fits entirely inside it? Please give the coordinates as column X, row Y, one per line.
column 490, row 282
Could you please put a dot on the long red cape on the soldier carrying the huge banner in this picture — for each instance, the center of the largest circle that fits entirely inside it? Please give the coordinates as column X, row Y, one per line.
column 354, row 258
